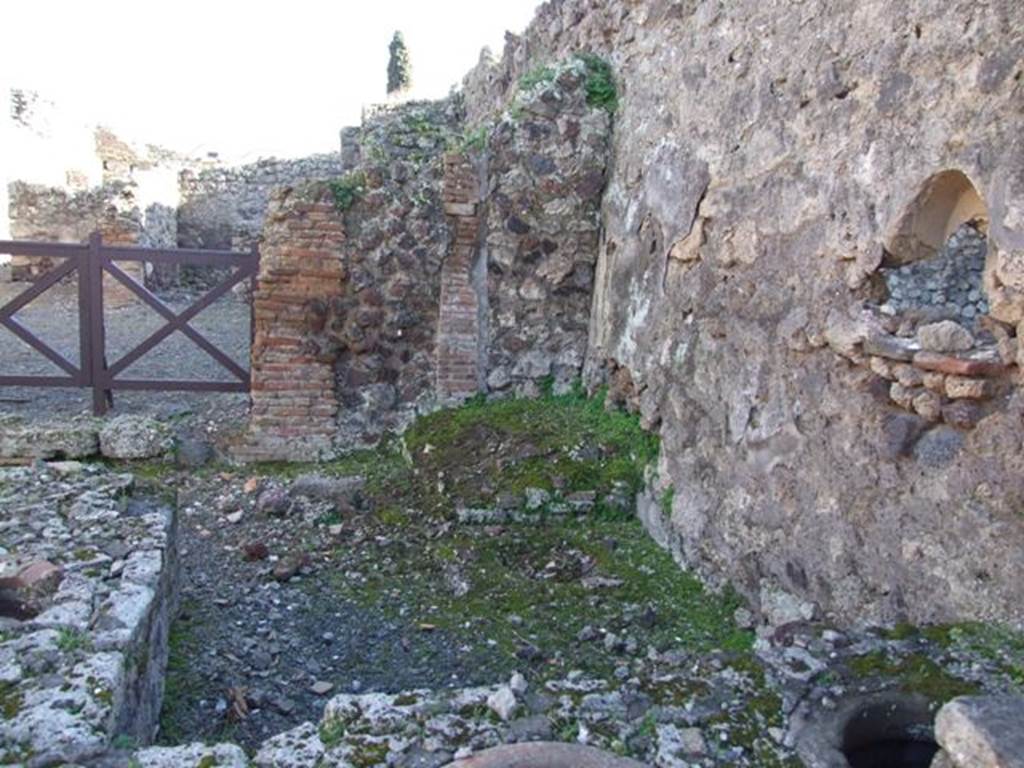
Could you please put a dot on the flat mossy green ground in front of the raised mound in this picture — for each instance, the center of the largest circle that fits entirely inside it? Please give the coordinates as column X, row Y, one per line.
column 508, row 575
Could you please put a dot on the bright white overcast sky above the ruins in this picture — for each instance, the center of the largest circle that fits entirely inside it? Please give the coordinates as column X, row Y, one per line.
column 241, row 78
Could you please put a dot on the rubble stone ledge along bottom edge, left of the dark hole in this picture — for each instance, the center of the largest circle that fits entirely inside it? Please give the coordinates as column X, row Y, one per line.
column 654, row 706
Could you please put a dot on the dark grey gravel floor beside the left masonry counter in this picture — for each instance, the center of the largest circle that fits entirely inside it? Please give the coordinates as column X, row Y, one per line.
column 247, row 631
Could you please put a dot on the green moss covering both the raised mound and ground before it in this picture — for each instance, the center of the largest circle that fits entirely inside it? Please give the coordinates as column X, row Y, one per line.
column 524, row 585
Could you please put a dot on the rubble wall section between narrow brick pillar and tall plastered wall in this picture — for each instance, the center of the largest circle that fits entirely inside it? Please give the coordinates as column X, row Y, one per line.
column 546, row 164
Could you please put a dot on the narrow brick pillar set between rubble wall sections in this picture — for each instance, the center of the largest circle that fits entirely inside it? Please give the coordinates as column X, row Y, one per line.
column 459, row 324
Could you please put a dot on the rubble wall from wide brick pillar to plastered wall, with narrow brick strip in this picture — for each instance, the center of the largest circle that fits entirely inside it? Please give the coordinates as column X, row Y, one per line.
column 470, row 257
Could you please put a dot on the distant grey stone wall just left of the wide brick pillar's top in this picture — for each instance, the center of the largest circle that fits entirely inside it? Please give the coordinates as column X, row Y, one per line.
column 225, row 205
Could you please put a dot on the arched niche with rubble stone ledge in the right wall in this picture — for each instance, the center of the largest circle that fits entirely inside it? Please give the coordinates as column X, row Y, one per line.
column 925, row 328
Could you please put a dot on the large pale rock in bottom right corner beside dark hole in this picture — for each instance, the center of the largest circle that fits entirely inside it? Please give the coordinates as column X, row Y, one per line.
column 983, row 732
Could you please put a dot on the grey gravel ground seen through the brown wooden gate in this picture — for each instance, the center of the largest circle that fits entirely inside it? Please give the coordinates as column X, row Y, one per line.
column 54, row 318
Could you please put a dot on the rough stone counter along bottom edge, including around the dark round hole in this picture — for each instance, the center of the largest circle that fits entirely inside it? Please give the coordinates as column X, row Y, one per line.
column 673, row 709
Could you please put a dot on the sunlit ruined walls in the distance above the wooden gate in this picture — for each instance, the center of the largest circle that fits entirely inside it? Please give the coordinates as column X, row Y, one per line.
column 63, row 180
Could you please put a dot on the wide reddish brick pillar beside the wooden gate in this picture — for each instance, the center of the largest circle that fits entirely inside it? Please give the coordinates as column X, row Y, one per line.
column 294, row 407
